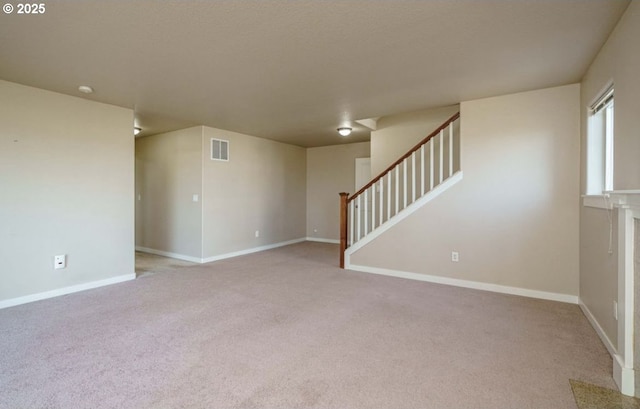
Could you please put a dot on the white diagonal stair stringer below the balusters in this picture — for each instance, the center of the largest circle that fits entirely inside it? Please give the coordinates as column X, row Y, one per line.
column 404, row 213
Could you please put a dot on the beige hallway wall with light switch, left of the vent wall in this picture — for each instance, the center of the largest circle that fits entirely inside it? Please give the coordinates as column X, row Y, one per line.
column 168, row 174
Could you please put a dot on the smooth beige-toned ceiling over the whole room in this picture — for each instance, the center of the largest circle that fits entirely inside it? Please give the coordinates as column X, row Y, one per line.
column 295, row 71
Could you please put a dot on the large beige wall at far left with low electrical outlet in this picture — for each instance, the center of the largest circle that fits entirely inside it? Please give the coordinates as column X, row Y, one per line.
column 66, row 177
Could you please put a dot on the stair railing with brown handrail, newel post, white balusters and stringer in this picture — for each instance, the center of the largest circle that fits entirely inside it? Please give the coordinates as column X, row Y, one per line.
column 425, row 171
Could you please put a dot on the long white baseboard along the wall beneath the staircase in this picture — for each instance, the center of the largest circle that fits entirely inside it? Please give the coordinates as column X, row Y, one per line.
column 476, row 285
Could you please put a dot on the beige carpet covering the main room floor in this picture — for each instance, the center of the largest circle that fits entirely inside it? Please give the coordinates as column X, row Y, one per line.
column 286, row 328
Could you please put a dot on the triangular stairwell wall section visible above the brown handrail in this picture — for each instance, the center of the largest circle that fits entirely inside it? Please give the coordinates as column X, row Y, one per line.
column 396, row 134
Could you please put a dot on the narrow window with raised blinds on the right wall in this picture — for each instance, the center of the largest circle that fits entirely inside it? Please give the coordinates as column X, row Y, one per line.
column 600, row 145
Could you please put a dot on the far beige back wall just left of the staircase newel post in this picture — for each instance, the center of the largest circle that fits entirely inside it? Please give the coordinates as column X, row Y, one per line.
column 330, row 170
